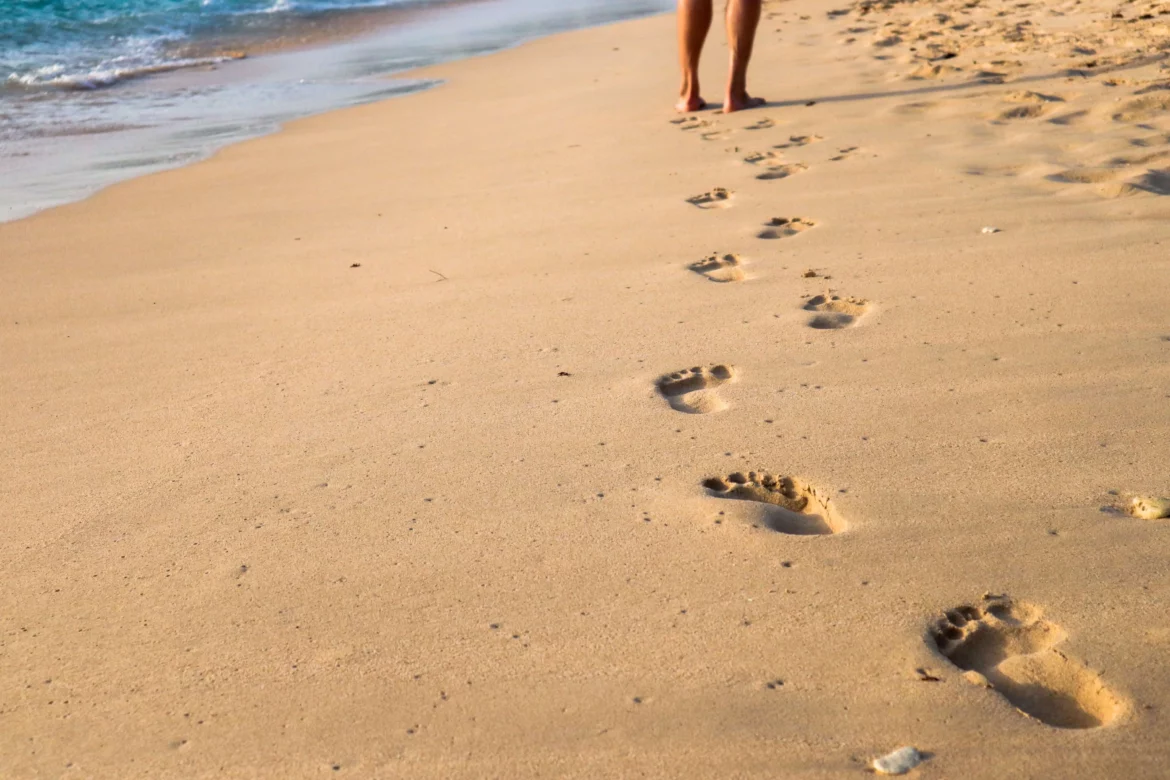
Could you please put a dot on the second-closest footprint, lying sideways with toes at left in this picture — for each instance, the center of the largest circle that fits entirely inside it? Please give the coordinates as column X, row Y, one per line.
column 789, row 506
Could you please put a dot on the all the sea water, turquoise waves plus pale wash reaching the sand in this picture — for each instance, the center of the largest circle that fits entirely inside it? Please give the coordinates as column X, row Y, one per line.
column 95, row 92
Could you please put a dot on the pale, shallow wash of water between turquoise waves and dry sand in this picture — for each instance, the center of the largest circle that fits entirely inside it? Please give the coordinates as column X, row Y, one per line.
column 180, row 116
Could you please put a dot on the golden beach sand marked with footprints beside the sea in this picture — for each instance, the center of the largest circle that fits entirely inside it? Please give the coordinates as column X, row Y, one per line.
column 373, row 448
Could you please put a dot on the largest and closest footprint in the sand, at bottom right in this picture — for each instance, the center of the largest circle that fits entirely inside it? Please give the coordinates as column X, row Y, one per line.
column 1008, row 647
